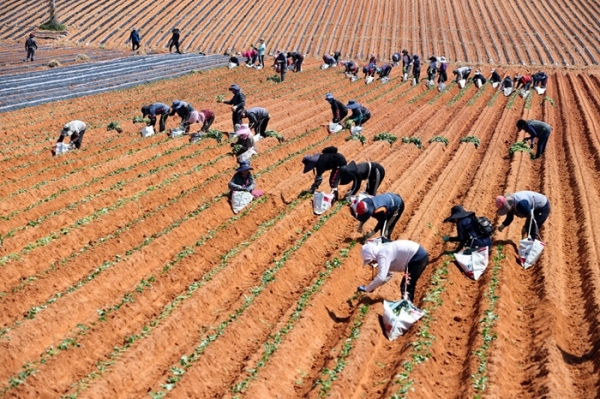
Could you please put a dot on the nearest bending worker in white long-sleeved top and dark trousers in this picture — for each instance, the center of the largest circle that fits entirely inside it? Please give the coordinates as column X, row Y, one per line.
column 402, row 256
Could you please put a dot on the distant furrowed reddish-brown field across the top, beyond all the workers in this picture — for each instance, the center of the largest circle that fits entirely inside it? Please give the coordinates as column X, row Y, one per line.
column 538, row 32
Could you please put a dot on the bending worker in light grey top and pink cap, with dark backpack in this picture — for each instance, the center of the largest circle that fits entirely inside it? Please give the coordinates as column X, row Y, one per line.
column 524, row 204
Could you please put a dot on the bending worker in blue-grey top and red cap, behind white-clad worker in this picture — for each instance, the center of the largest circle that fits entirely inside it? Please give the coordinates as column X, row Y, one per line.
column 385, row 208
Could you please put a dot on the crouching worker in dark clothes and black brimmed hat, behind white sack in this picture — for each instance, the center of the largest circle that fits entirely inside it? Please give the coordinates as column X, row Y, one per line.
column 468, row 230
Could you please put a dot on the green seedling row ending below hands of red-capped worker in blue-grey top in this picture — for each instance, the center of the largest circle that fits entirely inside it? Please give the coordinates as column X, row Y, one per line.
column 275, row 340
